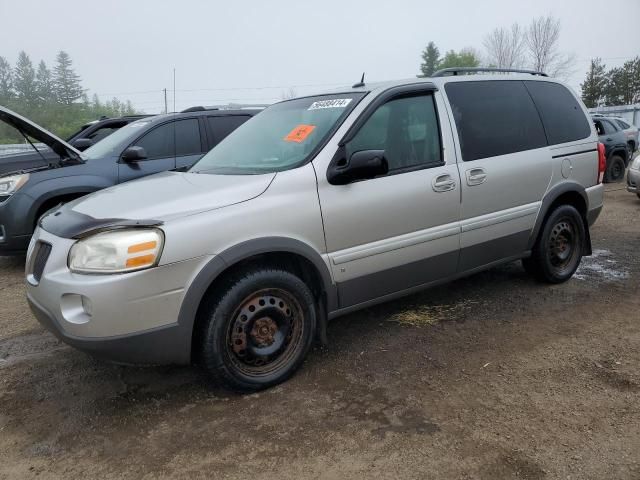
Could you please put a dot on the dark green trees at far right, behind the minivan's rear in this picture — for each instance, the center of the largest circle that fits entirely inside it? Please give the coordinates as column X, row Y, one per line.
column 618, row 86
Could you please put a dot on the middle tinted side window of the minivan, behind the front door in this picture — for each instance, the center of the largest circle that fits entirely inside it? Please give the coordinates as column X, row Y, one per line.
column 494, row 118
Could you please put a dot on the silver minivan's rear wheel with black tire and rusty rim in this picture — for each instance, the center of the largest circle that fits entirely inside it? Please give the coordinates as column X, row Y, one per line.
column 558, row 250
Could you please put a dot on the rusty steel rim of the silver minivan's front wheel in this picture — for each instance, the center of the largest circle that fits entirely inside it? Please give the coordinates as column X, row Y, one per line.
column 264, row 332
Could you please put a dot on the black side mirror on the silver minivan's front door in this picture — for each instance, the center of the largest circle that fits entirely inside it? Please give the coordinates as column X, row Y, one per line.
column 362, row 165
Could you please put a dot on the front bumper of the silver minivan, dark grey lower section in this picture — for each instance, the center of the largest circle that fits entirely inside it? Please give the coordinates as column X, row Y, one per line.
column 126, row 318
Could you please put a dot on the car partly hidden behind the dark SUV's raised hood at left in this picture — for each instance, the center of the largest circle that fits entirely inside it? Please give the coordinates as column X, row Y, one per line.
column 86, row 136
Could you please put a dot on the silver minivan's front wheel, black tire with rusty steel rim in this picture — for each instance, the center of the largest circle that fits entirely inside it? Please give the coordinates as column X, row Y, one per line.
column 258, row 330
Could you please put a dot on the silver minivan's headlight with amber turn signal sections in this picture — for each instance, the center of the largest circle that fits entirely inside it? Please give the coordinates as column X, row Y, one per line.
column 117, row 251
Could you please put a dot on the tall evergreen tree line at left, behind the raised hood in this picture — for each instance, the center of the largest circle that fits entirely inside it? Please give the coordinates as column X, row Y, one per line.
column 53, row 98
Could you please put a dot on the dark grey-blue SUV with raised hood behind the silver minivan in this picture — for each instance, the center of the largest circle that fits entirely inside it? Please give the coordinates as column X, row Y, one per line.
column 143, row 147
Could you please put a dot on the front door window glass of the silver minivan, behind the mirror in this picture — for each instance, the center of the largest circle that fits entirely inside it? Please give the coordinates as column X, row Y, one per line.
column 406, row 129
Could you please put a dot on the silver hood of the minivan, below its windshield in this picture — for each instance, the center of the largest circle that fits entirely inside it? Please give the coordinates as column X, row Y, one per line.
column 170, row 194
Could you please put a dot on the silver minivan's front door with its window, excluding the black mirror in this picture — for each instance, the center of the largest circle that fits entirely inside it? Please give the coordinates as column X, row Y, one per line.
column 400, row 230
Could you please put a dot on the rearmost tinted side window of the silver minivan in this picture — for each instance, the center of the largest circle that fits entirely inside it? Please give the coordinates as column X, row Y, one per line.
column 563, row 117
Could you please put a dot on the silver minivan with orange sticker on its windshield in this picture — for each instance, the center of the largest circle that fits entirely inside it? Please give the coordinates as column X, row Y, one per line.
column 316, row 207
